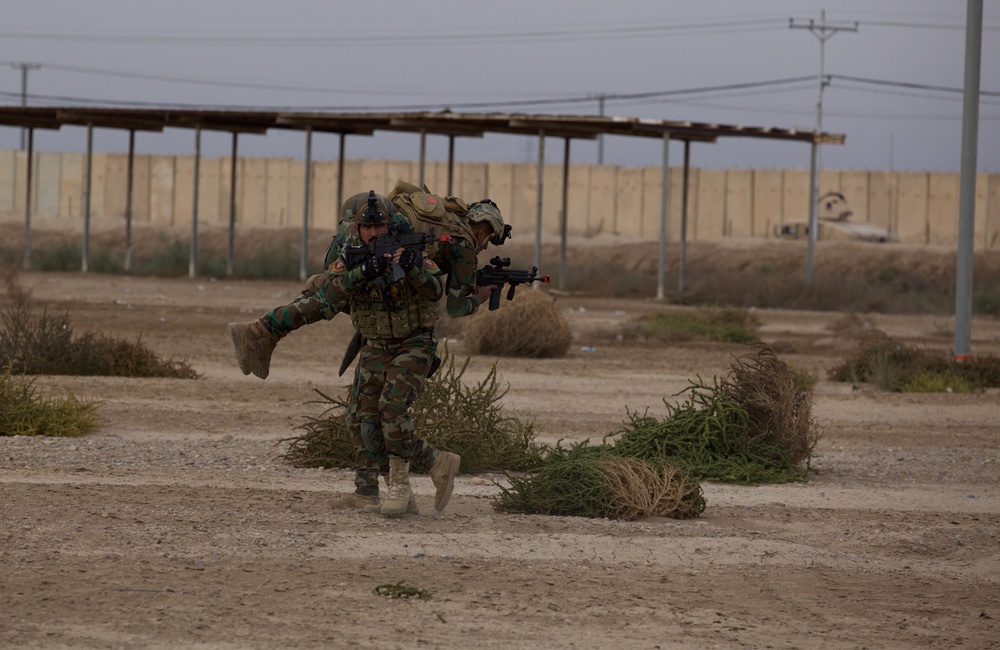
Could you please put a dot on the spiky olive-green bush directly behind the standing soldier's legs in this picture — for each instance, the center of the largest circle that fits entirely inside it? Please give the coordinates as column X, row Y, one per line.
column 449, row 415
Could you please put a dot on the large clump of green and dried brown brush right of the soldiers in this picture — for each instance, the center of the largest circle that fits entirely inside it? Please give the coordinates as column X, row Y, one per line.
column 754, row 426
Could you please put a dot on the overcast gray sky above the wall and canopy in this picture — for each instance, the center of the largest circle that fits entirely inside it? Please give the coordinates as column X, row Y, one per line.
column 895, row 83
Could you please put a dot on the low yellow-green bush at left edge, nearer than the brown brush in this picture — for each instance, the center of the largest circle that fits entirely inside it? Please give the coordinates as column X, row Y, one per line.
column 24, row 412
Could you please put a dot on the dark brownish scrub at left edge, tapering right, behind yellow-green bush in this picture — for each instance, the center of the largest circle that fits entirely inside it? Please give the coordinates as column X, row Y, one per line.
column 46, row 345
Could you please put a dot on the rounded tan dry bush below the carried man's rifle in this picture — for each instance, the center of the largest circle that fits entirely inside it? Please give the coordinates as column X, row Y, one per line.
column 529, row 326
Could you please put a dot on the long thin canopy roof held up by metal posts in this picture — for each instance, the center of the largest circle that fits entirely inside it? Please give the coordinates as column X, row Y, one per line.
column 442, row 123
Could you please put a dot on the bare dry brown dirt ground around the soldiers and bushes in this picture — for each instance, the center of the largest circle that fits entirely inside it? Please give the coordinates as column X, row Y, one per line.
column 177, row 524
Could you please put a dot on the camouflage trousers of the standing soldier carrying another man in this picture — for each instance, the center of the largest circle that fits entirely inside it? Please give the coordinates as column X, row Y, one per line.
column 386, row 383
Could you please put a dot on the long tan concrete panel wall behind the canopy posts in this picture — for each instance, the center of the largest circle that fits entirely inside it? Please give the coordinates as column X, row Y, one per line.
column 920, row 207
